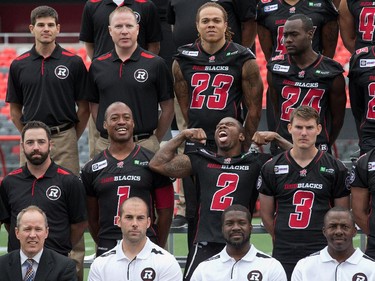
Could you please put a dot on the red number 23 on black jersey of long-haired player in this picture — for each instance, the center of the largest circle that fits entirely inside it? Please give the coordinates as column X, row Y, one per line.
column 218, row 100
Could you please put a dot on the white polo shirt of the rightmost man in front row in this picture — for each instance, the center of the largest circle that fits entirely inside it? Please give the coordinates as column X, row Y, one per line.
column 322, row 267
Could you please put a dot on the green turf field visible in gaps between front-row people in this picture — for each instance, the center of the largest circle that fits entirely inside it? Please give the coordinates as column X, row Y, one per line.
column 261, row 241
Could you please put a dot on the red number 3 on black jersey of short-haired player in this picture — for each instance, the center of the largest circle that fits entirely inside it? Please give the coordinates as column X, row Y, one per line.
column 304, row 201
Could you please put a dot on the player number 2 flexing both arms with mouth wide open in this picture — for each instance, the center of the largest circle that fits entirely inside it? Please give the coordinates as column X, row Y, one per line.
column 226, row 177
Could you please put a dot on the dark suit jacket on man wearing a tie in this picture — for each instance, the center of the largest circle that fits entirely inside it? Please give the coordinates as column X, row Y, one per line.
column 52, row 267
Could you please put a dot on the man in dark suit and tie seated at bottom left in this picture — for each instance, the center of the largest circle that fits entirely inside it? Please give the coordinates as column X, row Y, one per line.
column 33, row 261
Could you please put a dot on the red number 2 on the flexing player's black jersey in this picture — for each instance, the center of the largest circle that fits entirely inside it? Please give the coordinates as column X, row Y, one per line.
column 228, row 183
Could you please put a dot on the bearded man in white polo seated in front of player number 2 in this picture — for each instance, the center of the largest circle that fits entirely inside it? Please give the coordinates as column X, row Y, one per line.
column 239, row 260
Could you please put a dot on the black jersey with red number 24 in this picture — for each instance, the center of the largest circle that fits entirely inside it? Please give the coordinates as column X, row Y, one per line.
column 310, row 86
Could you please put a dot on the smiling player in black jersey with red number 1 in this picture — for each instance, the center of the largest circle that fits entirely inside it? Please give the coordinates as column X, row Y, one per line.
column 119, row 172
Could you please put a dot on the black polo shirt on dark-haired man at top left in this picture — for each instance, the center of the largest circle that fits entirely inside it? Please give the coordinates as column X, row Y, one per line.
column 48, row 88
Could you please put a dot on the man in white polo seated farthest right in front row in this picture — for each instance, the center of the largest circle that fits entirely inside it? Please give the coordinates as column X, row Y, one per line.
column 339, row 260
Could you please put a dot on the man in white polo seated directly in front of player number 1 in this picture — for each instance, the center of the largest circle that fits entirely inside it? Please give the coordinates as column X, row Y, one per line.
column 135, row 256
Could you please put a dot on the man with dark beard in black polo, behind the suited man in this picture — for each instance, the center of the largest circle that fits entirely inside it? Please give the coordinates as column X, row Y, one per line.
column 54, row 189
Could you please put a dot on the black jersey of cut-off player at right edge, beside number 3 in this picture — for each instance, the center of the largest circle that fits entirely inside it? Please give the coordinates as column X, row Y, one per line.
column 364, row 177
